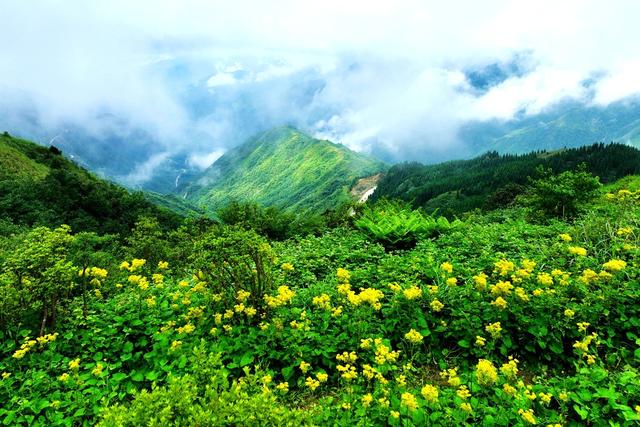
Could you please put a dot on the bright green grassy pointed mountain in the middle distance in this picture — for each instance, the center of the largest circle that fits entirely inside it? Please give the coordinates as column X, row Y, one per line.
column 286, row 168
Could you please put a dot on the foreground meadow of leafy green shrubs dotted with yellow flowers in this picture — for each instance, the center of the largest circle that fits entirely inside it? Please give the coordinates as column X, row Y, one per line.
column 392, row 317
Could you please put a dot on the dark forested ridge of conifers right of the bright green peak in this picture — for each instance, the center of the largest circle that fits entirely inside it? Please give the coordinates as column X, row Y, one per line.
column 493, row 180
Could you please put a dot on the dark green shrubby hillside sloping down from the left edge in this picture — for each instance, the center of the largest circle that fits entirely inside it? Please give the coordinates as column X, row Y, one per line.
column 38, row 186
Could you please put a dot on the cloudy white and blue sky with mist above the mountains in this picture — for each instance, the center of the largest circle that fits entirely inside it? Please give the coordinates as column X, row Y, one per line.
column 395, row 77
